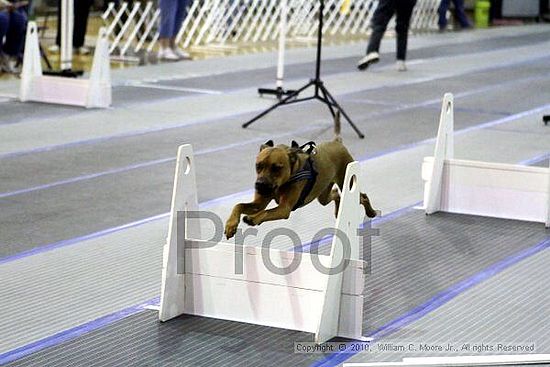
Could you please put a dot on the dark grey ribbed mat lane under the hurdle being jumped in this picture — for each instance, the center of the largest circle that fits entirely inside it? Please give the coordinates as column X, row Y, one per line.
column 414, row 258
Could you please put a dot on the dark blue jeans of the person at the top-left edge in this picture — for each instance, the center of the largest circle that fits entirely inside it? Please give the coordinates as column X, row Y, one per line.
column 13, row 25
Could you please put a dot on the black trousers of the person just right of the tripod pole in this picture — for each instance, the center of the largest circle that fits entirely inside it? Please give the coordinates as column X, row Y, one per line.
column 382, row 15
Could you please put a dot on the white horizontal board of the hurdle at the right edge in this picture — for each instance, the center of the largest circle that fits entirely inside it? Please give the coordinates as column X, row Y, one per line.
column 493, row 189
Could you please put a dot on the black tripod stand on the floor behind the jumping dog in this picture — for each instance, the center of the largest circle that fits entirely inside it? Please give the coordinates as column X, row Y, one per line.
column 321, row 92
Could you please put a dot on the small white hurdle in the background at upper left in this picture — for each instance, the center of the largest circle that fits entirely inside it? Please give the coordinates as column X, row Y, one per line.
column 93, row 92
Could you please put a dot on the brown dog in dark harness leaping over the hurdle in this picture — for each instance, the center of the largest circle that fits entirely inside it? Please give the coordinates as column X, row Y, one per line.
column 293, row 178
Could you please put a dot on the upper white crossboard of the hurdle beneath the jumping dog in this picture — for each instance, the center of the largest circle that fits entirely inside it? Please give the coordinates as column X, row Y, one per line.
column 219, row 260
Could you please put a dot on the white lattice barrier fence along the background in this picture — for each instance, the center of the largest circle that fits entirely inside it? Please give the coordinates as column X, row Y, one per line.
column 216, row 24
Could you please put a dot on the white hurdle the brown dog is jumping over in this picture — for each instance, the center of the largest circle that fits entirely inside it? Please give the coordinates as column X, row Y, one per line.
column 207, row 284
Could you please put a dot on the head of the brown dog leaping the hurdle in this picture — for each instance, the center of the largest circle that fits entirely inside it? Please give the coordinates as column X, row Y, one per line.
column 274, row 166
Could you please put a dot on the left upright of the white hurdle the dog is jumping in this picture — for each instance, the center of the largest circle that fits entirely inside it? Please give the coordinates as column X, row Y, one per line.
column 184, row 197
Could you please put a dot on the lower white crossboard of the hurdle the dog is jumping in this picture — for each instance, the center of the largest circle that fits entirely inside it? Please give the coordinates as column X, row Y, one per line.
column 262, row 304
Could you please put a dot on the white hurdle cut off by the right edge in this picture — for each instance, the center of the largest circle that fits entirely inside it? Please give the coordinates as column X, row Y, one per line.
column 482, row 188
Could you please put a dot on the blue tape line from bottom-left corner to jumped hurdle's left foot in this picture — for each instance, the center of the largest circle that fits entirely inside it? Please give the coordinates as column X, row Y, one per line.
column 72, row 333
